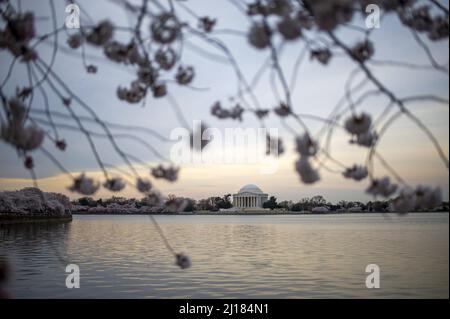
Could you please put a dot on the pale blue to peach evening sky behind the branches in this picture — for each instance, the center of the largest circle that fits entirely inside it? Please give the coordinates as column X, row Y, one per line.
column 318, row 89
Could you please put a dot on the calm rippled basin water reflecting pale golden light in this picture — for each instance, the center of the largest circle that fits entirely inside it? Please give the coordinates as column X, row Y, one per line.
column 233, row 256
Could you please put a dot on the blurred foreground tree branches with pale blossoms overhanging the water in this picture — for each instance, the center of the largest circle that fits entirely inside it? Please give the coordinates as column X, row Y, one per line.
column 154, row 52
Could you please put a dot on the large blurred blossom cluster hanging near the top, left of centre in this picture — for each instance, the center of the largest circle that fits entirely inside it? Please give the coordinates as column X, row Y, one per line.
column 165, row 30
